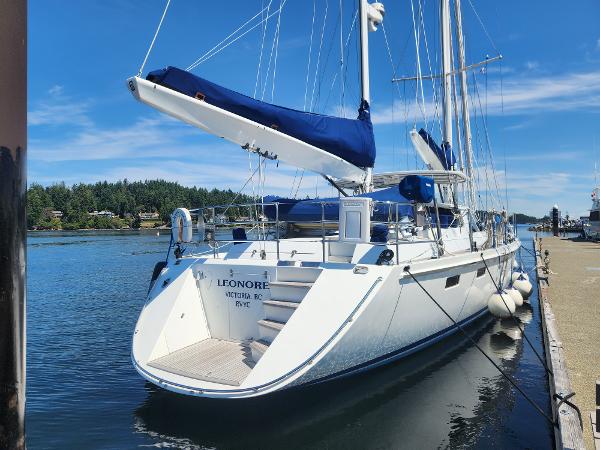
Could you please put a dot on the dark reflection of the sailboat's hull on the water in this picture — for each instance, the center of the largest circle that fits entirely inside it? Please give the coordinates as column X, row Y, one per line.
column 435, row 398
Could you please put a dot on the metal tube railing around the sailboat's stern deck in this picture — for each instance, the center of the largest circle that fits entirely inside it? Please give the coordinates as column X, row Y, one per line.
column 214, row 220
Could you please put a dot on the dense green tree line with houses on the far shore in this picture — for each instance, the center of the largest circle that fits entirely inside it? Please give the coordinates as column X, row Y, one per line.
column 123, row 198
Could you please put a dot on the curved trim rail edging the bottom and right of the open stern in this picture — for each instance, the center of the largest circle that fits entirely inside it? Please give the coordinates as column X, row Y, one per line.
column 307, row 361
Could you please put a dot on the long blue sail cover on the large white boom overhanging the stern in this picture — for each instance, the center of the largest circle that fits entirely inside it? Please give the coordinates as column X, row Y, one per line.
column 350, row 139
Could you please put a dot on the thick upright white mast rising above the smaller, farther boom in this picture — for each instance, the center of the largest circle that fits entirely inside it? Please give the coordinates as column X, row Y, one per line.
column 446, row 73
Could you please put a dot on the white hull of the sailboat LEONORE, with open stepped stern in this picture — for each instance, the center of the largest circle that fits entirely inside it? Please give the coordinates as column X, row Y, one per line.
column 346, row 322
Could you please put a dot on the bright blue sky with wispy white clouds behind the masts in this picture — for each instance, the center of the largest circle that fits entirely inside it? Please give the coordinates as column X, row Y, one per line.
column 535, row 114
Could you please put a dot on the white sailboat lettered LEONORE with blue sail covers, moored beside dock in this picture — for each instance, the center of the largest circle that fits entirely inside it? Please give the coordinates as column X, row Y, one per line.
column 398, row 263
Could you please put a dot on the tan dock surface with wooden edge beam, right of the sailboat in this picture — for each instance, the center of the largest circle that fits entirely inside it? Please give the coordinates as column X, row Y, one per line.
column 569, row 290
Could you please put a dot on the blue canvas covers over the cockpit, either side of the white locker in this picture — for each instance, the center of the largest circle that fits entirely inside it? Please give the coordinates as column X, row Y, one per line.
column 294, row 210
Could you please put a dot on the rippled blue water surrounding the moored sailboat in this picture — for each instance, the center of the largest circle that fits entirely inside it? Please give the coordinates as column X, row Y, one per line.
column 85, row 291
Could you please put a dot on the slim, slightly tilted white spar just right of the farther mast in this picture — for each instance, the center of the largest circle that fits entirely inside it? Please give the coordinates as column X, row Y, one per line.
column 464, row 95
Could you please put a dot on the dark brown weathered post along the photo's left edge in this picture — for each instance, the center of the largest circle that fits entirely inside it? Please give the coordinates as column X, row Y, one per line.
column 13, row 227
